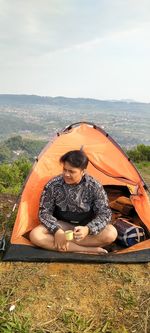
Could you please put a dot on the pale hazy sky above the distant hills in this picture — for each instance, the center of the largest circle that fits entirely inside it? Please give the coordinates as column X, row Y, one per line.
column 76, row 48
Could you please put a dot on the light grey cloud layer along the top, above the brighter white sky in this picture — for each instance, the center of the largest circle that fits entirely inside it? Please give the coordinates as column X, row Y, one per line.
column 36, row 27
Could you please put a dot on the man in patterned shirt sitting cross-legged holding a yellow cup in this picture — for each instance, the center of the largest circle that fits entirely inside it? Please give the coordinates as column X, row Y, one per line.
column 74, row 200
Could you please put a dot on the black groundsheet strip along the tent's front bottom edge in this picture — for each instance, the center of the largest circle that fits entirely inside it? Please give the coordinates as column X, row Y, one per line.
column 31, row 254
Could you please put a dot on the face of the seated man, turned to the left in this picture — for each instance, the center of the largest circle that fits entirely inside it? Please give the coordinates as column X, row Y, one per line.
column 72, row 175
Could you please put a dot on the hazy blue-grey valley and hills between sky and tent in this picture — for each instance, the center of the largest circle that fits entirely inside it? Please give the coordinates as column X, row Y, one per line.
column 39, row 117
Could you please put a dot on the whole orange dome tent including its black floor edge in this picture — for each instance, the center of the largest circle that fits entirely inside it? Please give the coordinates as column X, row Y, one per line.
column 108, row 164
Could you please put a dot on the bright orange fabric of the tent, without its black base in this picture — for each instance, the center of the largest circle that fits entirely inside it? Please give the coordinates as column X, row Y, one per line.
column 108, row 164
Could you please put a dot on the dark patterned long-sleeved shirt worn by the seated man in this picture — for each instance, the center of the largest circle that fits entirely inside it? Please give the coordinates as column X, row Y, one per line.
column 78, row 198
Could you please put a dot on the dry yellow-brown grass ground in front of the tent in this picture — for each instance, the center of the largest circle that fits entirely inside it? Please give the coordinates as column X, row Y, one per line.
column 76, row 298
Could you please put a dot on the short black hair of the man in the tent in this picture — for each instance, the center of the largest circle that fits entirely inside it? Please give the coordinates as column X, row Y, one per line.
column 76, row 158
